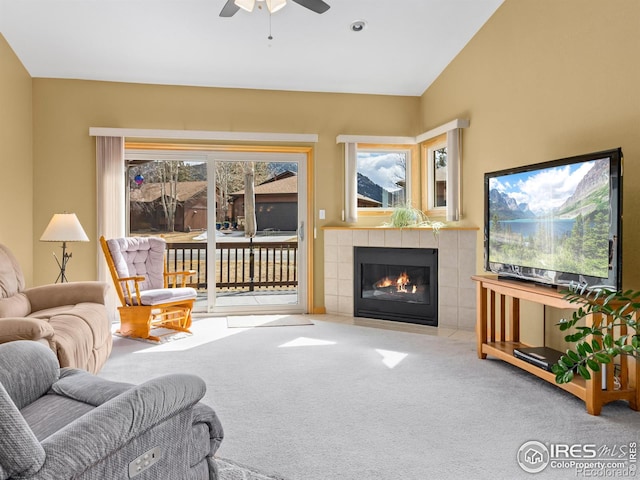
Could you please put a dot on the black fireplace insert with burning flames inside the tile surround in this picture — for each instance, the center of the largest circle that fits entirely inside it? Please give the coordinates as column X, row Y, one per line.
column 396, row 284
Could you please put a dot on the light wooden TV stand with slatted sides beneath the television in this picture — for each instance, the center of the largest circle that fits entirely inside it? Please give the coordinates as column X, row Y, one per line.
column 498, row 333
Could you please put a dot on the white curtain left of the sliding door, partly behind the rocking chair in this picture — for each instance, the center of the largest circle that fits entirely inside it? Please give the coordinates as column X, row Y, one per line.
column 110, row 187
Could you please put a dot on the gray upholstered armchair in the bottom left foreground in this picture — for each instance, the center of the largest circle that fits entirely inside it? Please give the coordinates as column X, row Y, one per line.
column 67, row 423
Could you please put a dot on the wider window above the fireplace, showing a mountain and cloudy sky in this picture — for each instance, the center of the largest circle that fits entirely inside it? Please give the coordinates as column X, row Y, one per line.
column 383, row 174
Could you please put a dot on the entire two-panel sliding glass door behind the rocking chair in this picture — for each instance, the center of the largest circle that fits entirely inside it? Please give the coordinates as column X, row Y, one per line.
column 237, row 219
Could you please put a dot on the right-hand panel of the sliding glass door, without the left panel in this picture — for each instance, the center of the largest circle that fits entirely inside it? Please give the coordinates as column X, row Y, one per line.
column 260, row 238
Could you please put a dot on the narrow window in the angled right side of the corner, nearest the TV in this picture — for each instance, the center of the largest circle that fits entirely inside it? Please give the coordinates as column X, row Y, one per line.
column 435, row 187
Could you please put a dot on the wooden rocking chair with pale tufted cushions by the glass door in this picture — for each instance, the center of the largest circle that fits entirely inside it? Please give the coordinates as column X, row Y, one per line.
column 150, row 296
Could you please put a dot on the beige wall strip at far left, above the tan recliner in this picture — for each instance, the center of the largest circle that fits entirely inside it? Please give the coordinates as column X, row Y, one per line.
column 16, row 164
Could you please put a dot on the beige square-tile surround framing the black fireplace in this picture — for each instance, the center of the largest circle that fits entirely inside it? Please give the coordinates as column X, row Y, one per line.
column 456, row 264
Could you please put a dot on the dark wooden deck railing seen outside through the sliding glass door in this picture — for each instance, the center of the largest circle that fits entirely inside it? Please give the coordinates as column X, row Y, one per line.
column 239, row 266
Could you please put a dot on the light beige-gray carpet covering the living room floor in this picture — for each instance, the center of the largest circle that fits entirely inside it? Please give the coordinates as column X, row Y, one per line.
column 347, row 402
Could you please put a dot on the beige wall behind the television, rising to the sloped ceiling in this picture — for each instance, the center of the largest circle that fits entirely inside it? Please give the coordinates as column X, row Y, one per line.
column 542, row 80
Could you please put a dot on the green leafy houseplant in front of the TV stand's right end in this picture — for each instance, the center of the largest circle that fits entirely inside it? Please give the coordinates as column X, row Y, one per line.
column 598, row 344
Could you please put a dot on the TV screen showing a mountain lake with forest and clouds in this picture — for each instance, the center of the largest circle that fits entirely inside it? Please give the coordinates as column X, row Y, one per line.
column 553, row 219
